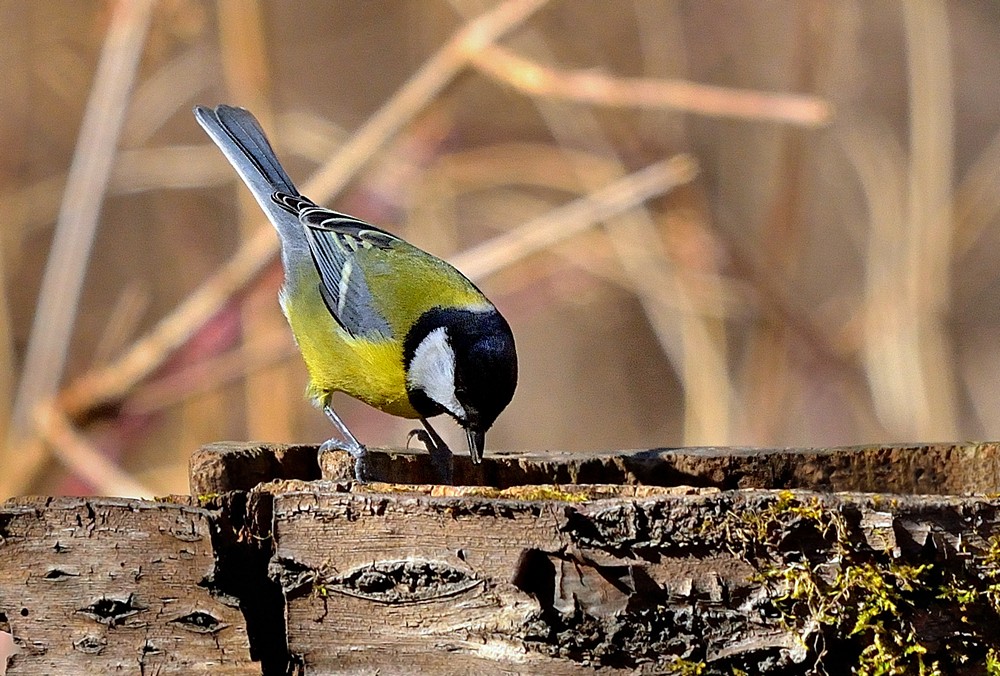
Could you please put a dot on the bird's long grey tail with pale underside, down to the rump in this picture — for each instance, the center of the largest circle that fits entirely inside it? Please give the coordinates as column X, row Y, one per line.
column 241, row 139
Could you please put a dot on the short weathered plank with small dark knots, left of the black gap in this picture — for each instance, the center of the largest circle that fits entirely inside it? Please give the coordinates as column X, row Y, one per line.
column 100, row 586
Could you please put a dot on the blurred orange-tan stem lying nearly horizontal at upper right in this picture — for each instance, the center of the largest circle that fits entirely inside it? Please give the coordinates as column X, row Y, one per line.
column 605, row 90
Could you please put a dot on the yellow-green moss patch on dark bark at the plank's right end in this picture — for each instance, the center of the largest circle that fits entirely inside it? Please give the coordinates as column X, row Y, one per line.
column 849, row 603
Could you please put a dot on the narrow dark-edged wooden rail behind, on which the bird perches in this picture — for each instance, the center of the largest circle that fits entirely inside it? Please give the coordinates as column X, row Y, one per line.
column 939, row 469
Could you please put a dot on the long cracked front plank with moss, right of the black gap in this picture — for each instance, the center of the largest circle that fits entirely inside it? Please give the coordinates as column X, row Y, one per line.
column 762, row 581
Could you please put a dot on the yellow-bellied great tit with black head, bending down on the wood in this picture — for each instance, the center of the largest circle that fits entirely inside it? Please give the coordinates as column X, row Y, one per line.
column 374, row 316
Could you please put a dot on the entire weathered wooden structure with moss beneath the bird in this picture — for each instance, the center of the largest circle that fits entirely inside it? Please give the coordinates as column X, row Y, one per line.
column 689, row 561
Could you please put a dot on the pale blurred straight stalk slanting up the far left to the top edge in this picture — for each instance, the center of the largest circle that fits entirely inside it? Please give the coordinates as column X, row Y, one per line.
column 76, row 225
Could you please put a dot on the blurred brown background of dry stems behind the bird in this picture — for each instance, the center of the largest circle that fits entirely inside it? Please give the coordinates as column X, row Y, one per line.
column 718, row 222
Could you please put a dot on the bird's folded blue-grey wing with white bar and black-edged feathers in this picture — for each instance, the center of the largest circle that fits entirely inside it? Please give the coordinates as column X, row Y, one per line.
column 335, row 240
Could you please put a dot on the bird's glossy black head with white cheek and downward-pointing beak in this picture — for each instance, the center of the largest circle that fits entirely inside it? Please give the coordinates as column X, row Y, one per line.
column 461, row 362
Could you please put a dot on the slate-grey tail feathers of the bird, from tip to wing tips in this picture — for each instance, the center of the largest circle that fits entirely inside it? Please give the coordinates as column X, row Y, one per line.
column 237, row 129
